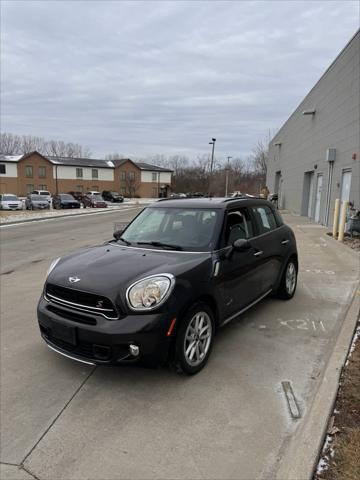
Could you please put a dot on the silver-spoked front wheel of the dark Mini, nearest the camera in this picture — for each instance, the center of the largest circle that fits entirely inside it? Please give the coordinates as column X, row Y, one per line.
column 194, row 340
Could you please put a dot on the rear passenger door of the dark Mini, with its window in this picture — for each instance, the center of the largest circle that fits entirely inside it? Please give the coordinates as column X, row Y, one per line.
column 269, row 246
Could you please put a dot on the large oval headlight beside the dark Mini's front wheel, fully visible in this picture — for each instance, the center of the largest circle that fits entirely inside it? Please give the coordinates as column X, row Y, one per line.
column 150, row 292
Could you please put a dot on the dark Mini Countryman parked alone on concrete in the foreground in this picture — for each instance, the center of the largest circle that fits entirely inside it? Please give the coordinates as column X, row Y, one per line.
column 159, row 291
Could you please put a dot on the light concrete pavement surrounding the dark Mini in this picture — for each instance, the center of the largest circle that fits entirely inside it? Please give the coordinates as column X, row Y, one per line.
column 64, row 420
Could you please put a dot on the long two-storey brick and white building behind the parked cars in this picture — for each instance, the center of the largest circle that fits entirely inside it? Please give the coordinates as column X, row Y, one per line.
column 21, row 174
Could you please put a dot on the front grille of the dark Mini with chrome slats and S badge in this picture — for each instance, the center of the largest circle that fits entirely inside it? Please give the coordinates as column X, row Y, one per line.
column 81, row 301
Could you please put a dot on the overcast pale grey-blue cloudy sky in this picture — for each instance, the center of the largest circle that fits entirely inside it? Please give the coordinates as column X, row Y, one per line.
column 144, row 78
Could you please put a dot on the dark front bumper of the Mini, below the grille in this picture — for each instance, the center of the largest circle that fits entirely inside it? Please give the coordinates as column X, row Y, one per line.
column 104, row 341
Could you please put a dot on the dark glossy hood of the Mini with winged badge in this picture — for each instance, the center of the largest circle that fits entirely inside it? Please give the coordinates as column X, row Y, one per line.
column 110, row 269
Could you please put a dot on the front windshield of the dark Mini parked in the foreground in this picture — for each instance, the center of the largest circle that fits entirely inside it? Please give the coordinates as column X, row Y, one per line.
column 190, row 229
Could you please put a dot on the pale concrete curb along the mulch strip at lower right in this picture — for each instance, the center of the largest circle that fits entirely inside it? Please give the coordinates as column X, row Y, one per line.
column 301, row 458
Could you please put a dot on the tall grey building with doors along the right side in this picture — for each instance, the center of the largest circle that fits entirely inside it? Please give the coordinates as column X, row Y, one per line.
column 314, row 158
